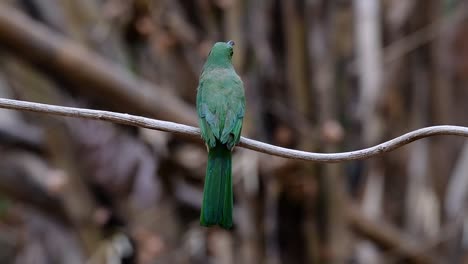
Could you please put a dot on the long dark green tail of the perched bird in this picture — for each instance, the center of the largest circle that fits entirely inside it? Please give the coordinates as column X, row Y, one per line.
column 217, row 193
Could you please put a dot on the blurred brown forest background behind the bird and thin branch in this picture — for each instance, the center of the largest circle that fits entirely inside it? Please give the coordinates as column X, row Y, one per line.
column 320, row 75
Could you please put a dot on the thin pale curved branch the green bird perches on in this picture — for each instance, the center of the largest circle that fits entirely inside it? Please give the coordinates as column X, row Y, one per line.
column 190, row 131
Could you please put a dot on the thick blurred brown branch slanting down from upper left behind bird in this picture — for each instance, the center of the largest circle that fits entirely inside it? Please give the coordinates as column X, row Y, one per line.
column 93, row 75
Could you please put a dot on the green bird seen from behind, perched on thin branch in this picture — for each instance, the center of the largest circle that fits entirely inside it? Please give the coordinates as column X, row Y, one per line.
column 220, row 108
